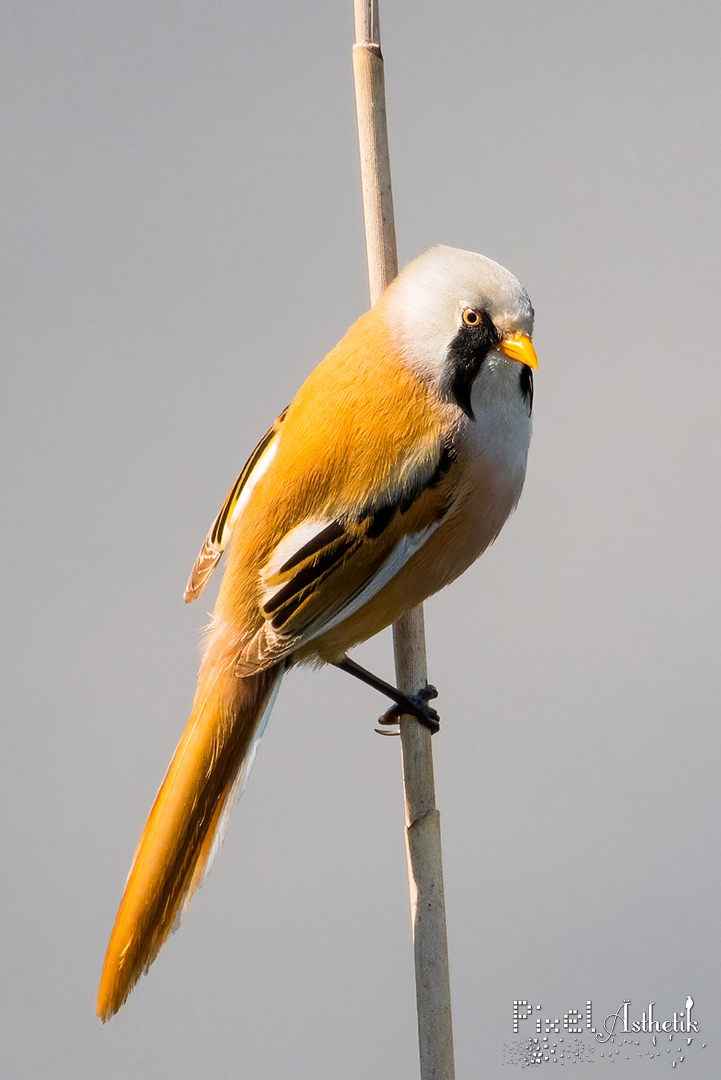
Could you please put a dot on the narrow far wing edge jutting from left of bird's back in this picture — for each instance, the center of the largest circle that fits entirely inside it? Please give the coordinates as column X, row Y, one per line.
column 222, row 530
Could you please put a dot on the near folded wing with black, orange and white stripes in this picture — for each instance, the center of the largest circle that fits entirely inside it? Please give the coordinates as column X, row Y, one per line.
column 327, row 569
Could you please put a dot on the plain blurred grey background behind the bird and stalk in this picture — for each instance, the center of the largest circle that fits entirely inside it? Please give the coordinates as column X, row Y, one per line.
column 183, row 244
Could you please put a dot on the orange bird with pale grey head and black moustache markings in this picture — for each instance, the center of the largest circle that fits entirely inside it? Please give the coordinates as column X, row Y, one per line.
column 394, row 467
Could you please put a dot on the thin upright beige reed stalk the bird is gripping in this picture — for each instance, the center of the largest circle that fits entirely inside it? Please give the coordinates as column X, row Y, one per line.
column 426, row 881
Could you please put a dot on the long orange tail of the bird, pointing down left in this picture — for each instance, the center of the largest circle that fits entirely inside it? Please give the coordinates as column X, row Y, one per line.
column 187, row 820
